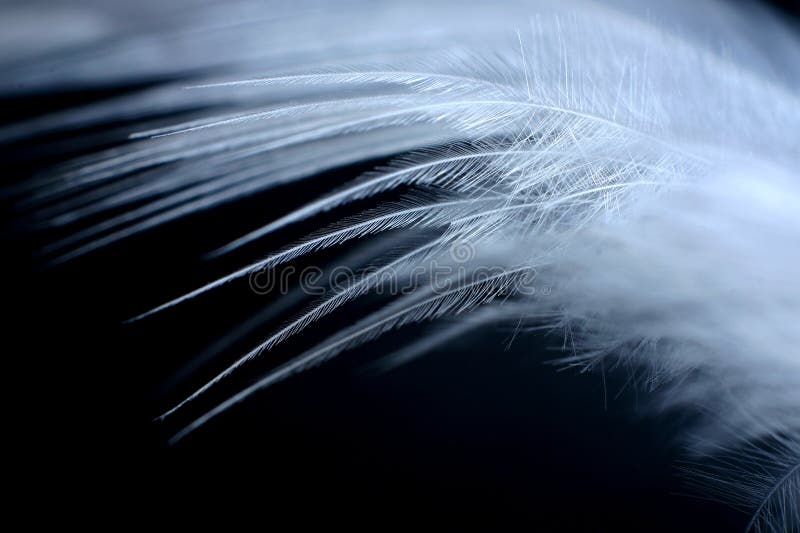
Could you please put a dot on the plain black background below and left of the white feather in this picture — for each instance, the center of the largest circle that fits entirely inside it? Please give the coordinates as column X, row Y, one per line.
column 473, row 433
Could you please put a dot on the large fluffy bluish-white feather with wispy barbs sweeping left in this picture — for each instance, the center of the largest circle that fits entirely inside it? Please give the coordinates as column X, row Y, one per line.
column 647, row 173
